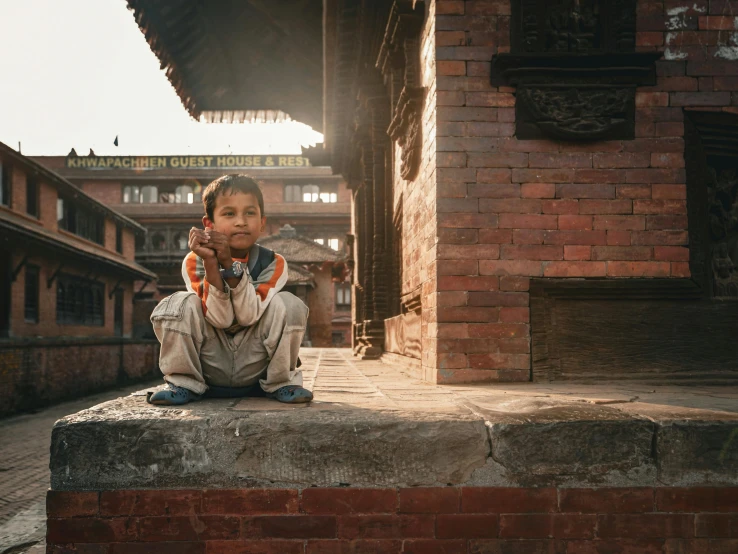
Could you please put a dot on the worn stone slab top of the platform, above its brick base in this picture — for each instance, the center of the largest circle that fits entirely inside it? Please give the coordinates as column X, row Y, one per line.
column 371, row 424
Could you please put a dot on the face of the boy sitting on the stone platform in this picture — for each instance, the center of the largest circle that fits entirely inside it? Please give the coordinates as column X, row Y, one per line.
column 238, row 217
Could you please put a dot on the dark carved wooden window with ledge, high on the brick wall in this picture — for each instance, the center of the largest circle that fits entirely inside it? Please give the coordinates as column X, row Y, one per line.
column 575, row 68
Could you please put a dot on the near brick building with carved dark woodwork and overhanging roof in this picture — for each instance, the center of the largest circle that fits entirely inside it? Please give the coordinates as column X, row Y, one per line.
column 541, row 189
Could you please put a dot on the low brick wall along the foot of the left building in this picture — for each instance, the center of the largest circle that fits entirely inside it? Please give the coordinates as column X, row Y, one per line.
column 44, row 372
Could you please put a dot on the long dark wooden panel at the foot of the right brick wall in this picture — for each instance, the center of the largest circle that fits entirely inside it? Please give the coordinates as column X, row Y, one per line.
column 655, row 330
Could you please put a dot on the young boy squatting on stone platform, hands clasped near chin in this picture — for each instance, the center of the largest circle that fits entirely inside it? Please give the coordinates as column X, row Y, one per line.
column 233, row 332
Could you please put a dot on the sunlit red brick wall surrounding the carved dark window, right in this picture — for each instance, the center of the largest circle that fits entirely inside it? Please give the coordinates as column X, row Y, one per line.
column 509, row 209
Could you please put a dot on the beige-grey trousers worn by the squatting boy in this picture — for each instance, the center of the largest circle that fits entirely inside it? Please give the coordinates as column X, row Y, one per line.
column 194, row 354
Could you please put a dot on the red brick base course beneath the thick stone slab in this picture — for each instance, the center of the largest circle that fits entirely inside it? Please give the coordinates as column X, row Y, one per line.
column 422, row 520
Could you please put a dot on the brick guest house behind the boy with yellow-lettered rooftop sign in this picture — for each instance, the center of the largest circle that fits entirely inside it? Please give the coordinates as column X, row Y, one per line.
column 163, row 193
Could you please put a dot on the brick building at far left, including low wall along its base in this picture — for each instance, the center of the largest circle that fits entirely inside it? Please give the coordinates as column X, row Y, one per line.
column 67, row 274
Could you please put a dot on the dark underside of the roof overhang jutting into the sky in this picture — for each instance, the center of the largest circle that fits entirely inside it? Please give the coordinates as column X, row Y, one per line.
column 238, row 61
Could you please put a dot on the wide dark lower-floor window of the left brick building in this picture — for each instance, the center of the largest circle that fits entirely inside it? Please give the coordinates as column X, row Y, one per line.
column 79, row 301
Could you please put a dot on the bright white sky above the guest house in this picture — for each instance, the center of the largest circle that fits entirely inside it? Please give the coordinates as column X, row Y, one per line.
column 76, row 73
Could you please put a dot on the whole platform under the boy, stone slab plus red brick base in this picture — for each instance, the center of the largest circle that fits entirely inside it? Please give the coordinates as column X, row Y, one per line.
column 381, row 462
